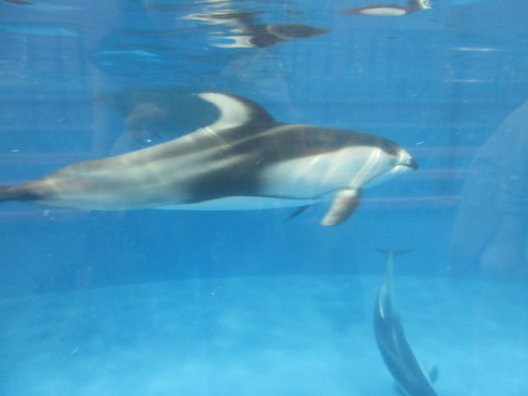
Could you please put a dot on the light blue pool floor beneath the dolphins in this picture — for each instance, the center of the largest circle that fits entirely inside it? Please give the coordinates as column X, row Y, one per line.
column 260, row 336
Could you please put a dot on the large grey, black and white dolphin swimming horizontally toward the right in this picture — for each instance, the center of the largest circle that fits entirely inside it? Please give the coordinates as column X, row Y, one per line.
column 243, row 160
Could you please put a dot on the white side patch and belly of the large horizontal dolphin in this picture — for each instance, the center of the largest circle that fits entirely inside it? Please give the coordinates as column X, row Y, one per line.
column 306, row 180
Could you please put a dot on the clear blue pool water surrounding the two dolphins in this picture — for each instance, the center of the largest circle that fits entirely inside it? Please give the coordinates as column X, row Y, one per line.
column 226, row 303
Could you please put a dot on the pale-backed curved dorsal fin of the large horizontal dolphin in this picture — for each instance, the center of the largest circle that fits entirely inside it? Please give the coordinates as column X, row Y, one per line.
column 236, row 111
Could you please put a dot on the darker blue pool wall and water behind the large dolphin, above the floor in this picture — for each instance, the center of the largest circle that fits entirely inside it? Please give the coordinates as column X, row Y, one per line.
column 438, row 82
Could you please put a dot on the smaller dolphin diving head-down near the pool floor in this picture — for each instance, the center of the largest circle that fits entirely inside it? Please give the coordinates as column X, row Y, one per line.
column 394, row 347
